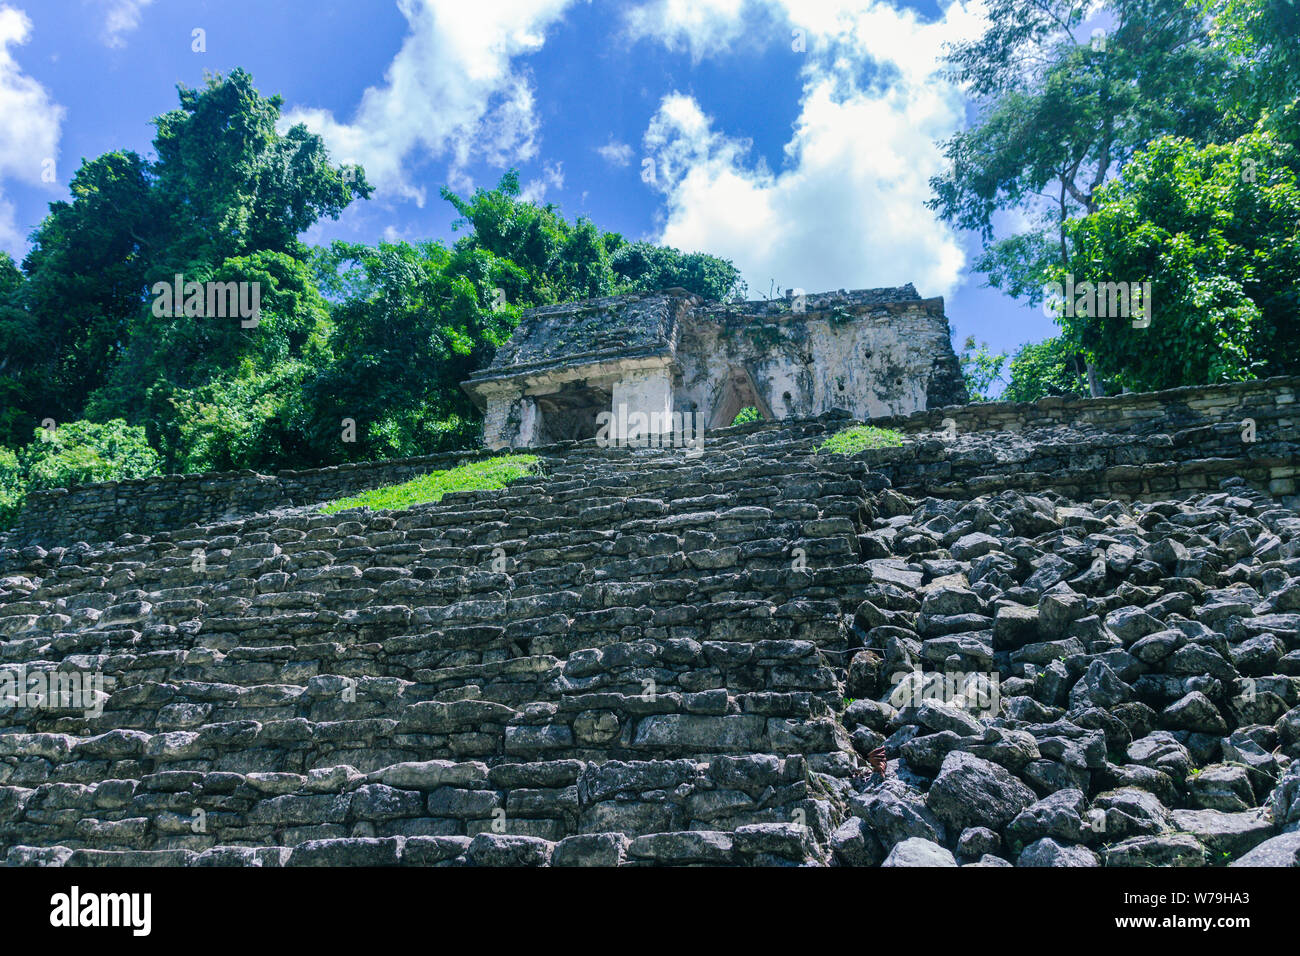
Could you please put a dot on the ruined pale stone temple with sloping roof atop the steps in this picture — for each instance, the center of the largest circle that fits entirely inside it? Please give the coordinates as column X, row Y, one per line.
column 873, row 353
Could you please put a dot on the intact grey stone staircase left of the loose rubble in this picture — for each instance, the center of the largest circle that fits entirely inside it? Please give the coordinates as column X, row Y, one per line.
column 636, row 659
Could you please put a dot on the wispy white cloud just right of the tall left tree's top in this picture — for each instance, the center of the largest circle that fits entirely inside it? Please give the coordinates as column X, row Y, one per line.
column 453, row 92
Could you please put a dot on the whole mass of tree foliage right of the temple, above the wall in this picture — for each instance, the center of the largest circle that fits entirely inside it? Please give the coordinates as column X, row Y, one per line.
column 1159, row 148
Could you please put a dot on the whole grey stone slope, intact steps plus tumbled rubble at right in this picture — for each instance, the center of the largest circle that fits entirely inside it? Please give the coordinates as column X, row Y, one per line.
column 645, row 659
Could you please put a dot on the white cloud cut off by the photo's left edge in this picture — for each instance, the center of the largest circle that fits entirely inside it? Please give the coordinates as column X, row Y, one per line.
column 29, row 133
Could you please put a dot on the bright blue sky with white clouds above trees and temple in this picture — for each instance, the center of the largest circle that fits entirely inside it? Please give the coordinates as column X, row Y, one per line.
column 795, row 137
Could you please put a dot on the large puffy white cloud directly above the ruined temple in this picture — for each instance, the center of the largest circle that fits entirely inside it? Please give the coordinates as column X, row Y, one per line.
column 847, row 207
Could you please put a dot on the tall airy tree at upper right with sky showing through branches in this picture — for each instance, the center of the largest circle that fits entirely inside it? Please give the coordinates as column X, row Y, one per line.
column 1061, row 111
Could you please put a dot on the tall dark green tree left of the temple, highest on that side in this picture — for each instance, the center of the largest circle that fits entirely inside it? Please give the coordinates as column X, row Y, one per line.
column 227, row 196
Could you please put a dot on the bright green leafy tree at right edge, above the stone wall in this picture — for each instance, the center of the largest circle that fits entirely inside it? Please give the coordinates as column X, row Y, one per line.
column 1216, row 231
